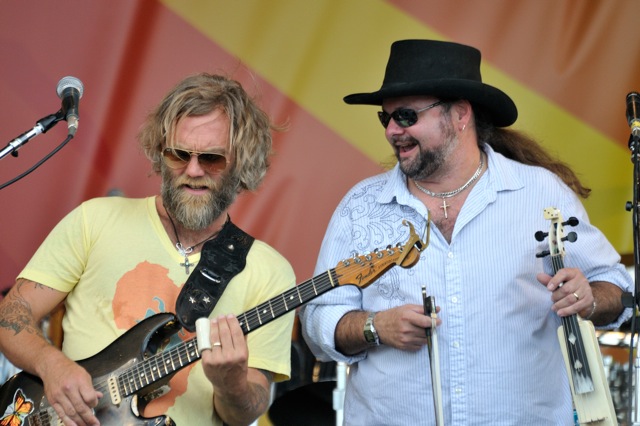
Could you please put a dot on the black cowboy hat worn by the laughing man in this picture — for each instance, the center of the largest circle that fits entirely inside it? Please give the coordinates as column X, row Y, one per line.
column 441, row 69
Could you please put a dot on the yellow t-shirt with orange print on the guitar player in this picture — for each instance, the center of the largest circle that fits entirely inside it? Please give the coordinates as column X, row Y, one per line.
column 114, row 258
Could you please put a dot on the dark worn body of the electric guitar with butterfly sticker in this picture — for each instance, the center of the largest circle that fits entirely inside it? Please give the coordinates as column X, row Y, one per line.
column 130, row 348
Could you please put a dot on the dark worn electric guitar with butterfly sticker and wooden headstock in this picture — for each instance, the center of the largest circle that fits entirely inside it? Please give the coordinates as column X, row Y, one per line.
column 132, row 368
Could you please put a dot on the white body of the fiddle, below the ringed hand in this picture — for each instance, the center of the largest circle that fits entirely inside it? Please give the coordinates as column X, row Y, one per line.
column 596, row 407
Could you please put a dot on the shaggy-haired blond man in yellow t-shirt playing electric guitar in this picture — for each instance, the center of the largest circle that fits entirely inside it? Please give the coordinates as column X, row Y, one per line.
column 119, row 263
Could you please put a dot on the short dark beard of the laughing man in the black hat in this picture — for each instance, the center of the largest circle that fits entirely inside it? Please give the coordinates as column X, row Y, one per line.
column 428, row 161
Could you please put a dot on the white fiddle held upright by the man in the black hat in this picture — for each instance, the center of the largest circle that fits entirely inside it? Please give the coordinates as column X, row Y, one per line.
column 578, row 341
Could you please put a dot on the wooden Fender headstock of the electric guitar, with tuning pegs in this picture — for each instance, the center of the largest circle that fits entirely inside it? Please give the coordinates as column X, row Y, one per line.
column 364, row 269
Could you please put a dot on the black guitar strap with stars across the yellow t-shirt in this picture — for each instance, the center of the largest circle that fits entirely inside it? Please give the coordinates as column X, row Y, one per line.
column 221, row 259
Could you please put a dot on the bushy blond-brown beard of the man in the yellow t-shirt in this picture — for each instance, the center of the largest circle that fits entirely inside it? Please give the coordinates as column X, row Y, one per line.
column 198, row 212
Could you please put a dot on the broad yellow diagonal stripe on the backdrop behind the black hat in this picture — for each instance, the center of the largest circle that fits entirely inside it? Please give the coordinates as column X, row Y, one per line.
column 316, row 52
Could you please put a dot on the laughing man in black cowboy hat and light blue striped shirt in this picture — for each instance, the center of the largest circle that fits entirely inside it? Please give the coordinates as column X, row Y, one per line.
column 485, row 189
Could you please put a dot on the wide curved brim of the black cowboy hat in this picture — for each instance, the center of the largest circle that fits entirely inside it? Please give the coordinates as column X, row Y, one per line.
column 501, row 109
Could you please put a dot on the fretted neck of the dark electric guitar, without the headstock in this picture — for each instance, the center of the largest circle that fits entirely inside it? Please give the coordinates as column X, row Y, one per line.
column 167, row 362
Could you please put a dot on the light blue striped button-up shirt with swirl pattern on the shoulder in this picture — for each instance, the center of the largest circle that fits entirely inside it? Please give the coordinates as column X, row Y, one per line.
column 500, row 357
